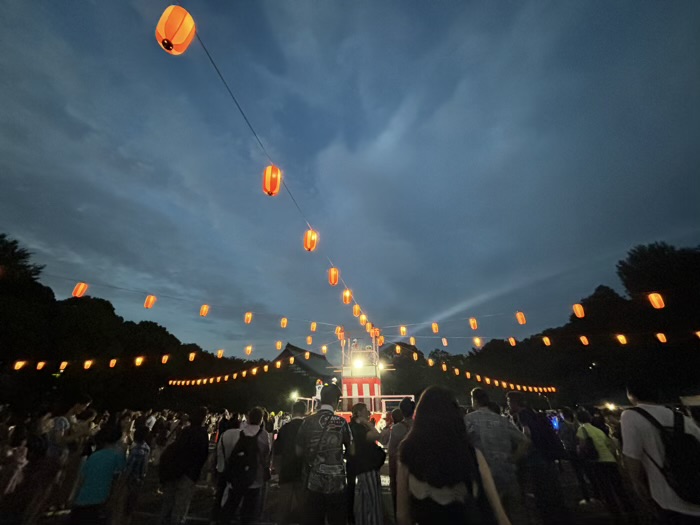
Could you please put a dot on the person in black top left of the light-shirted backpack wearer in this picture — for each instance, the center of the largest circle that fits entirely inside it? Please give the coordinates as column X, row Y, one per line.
column 180, row 467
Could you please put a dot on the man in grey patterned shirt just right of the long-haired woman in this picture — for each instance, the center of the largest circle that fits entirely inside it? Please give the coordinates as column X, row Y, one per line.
column 502, row 444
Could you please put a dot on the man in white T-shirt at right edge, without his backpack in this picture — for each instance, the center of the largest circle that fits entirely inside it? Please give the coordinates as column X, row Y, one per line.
column 641, row 443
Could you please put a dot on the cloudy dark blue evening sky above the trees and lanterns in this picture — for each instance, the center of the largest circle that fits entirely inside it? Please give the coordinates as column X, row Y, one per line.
column 458, row 158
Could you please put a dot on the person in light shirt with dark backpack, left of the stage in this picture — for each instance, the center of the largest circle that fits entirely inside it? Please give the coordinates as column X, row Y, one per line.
column 243, row 461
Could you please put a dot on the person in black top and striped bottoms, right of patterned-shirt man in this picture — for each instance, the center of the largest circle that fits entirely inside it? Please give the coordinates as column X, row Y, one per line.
column 364, row 485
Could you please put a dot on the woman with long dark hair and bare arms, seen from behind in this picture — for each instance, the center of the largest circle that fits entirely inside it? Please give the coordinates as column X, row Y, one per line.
column 441, row 478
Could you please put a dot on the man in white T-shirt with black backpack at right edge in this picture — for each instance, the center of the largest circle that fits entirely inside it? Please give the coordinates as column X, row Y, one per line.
column 661, row 450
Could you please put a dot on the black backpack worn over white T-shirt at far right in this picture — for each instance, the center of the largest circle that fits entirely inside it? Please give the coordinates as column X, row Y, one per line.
column 681, row 466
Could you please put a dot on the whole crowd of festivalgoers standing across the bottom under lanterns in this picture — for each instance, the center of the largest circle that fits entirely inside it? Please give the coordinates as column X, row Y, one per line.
column 446, row 463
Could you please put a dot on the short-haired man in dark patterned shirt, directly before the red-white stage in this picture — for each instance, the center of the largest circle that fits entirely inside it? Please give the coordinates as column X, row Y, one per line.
column 321, row 442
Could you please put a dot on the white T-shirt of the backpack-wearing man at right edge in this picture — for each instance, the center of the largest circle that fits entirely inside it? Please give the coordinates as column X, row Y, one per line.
column 640, row 437
